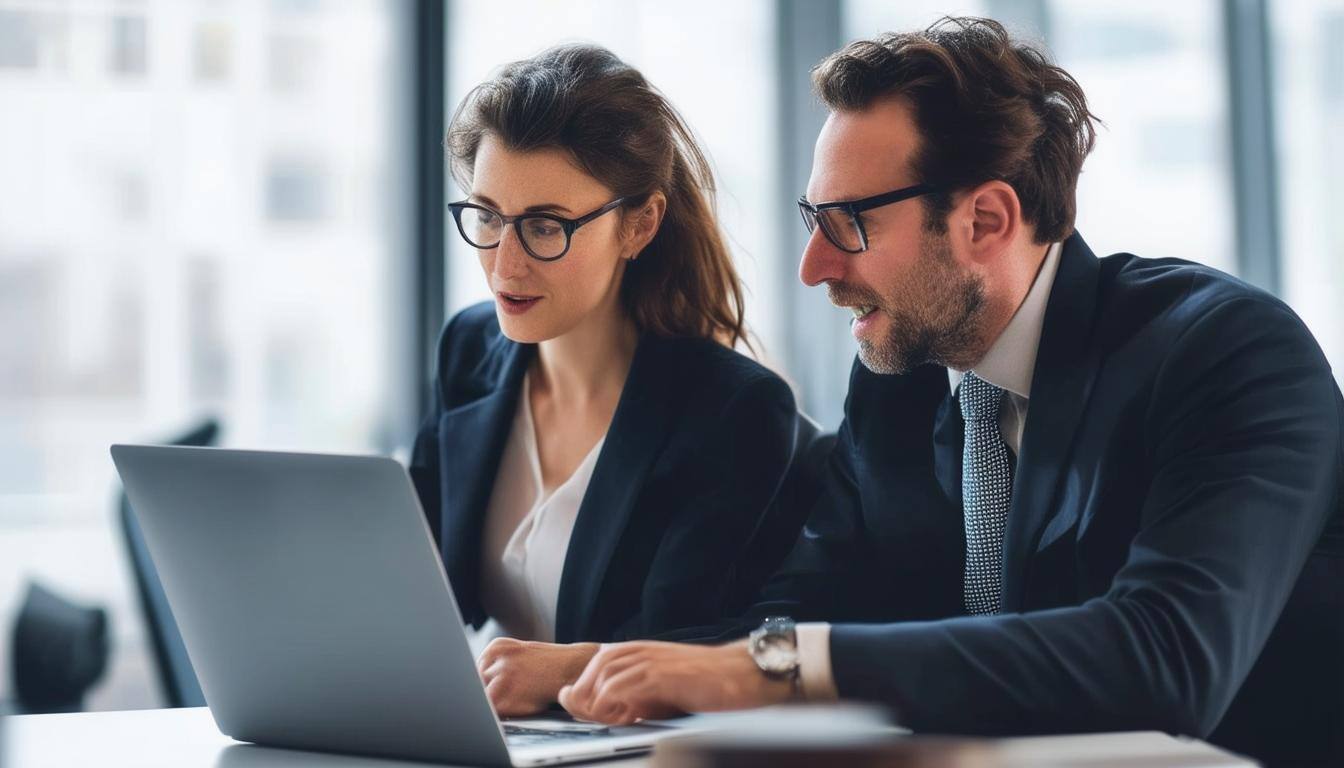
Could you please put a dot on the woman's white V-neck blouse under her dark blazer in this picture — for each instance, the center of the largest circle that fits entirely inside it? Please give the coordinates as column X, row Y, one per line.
column 528, row 533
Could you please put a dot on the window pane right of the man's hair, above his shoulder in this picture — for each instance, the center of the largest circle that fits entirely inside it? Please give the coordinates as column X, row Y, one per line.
column 1159, row 182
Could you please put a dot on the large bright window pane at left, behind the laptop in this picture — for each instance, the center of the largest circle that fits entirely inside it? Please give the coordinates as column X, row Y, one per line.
column 201, row 213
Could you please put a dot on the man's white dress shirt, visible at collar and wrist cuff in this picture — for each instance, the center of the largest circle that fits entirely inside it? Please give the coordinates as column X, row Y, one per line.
column 1009, row 365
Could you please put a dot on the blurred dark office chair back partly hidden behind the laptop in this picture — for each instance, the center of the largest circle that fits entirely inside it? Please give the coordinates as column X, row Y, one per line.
column 177, row 677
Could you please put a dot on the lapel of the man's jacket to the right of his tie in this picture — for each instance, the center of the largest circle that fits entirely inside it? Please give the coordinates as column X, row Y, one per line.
column 1066, row 368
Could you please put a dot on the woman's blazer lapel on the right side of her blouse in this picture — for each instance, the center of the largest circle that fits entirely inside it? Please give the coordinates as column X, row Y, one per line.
column 639, row 431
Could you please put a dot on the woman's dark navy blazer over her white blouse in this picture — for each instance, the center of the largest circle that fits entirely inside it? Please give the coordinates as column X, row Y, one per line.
column 698, row 447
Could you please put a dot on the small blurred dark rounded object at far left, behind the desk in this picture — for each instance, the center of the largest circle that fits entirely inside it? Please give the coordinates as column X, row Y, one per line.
column 60, row 652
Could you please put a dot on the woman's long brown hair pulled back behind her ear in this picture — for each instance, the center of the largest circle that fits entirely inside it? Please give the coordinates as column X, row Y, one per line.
column 622, row 131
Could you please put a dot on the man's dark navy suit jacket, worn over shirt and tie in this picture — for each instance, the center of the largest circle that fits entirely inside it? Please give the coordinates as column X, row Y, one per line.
column 1175, row 547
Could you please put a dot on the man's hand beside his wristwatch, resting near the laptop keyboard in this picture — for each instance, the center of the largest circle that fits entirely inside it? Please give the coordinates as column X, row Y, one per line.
column 646, row 681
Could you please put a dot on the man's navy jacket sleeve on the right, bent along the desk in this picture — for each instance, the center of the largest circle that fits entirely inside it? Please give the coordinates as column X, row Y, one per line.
column 1244, row 442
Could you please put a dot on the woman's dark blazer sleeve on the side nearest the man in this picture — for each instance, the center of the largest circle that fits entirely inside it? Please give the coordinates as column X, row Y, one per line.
column 745, row 462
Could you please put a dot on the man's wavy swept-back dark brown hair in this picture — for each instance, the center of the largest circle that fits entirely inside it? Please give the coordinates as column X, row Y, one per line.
column 987, row 110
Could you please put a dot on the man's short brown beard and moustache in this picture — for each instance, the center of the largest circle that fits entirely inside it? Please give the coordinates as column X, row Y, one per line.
column 935, row 318
